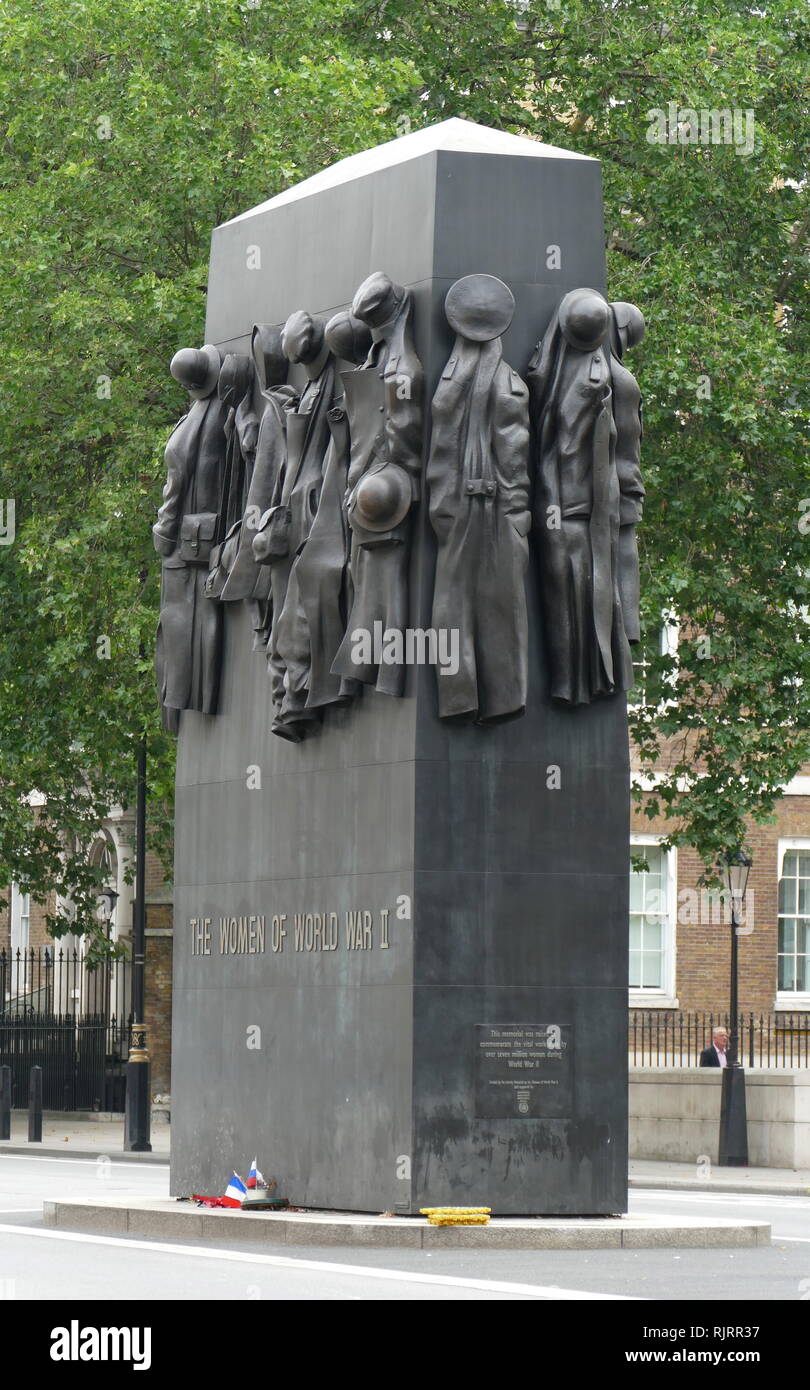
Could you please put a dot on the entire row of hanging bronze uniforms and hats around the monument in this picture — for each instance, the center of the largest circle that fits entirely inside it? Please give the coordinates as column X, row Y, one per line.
column 299, row 501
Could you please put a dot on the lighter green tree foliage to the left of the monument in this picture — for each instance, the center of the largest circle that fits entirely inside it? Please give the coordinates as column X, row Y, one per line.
column 129, row 133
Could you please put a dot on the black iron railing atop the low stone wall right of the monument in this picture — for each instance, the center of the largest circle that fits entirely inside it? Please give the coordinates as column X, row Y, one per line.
column 661, row 1038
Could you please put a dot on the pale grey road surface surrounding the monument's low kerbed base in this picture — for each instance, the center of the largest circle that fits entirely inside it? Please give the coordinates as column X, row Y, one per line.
column 37, row 1263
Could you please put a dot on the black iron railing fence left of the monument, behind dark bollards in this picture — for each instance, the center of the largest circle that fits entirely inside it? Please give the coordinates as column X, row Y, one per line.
column 70, row 1020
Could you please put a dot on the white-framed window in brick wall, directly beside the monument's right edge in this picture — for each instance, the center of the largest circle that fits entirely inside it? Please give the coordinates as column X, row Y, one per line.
column 654, row 918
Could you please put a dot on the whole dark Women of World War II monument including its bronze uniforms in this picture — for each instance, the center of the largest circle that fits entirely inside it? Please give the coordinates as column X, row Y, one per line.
column 404, row 790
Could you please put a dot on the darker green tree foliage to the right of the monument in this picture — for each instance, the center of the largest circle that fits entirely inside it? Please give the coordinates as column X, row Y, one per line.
column 711, row 240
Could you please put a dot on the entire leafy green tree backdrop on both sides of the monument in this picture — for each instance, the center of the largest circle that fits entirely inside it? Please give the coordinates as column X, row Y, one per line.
column 130, row 131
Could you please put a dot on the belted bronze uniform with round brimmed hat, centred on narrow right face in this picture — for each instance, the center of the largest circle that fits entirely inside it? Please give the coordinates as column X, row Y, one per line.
column 479, row 480
